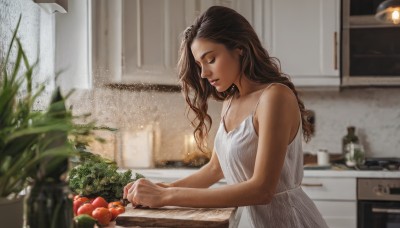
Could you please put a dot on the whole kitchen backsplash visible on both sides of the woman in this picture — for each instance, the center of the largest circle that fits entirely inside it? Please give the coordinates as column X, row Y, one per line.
column 375, row 112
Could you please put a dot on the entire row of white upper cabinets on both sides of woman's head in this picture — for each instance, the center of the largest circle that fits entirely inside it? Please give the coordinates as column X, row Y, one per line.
column 137, row 41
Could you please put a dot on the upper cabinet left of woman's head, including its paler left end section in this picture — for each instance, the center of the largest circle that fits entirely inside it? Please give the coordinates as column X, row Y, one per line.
column 138, row 41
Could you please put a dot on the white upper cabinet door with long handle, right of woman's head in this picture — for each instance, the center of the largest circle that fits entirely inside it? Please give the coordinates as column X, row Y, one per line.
column 303, row 35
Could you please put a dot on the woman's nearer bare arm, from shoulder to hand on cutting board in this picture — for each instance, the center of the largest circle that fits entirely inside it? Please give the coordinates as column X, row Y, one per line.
column 278, row 116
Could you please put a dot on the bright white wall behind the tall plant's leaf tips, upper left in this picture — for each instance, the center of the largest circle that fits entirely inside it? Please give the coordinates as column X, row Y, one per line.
column 37, row 36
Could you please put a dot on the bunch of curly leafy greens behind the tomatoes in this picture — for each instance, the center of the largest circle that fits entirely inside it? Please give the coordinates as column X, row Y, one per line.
column 96, row 176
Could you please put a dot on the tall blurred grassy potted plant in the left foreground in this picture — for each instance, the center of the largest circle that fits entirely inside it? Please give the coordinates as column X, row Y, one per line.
column 35, row 147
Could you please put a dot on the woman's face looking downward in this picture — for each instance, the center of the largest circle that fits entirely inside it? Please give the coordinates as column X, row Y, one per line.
column 220, row 66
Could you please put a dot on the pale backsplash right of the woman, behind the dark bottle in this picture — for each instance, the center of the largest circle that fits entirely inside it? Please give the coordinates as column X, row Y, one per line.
column 375, row 112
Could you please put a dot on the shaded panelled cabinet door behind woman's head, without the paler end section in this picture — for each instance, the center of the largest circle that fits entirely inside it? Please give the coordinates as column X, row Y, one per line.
column 151, row 33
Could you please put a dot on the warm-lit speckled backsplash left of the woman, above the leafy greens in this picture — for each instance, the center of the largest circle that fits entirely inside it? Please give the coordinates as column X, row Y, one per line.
column 133, row 111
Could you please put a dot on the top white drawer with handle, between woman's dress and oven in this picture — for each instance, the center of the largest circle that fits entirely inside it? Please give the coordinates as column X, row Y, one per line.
column 318, row 188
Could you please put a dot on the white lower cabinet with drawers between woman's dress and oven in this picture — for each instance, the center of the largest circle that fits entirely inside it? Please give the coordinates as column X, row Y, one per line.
column 335, row 199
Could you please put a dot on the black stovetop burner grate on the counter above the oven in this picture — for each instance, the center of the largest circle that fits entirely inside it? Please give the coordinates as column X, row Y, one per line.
column 391, row 164
